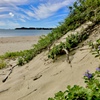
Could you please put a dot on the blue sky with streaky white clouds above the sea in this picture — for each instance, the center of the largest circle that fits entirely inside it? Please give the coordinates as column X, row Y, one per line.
column 33, row 13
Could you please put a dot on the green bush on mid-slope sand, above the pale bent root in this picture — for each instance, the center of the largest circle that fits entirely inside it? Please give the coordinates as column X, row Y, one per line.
column 71, row 41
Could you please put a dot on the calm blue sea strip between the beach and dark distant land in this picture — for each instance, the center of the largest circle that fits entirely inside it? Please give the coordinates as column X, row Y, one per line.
column 14, row 33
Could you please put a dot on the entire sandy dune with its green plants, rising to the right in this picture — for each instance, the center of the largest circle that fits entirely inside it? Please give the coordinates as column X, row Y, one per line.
column 78, row 36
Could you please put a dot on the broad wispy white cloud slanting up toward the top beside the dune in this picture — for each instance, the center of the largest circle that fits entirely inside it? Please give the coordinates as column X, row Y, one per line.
column 47, row 9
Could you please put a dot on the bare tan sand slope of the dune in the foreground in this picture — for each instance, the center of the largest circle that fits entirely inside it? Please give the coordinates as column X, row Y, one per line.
column 41, row 78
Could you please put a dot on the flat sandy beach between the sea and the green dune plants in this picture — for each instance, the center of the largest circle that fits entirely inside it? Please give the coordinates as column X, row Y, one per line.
column 10, row 44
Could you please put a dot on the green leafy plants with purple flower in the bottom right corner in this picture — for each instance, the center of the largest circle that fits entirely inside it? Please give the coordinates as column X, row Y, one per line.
column 90, row 92
